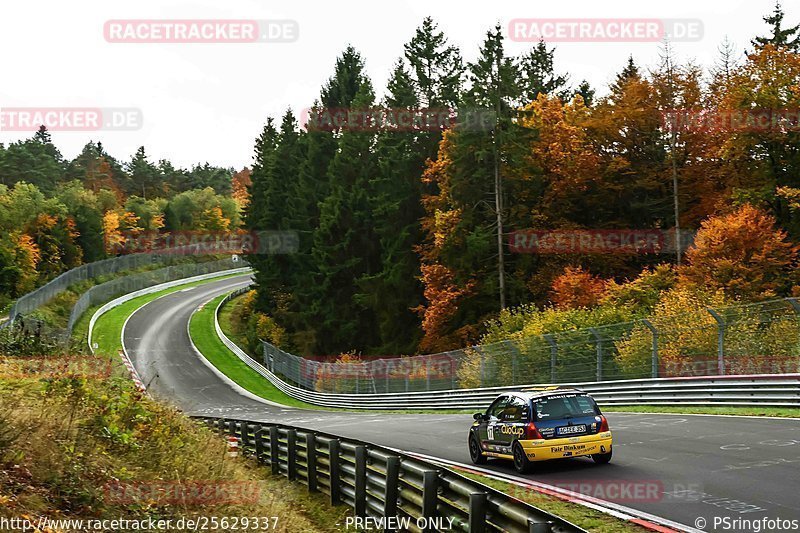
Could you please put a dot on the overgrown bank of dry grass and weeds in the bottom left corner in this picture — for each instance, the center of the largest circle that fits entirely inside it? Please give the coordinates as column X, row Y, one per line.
column 78, row 448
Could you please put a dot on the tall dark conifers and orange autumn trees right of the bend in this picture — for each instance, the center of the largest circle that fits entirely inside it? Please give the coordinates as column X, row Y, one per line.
column 404, row 233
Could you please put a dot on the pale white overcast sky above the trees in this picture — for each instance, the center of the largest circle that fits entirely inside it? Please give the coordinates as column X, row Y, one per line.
column 208, row 102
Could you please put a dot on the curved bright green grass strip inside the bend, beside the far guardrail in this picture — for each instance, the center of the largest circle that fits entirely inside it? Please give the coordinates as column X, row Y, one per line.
column 201, row 329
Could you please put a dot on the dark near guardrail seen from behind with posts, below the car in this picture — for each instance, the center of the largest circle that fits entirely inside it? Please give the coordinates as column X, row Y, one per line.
column 378, row 482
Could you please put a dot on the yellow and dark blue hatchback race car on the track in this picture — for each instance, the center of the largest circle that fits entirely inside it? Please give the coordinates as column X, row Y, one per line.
column 540, row 424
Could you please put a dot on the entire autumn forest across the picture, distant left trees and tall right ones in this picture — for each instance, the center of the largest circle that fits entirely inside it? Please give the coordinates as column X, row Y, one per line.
column 409, row 215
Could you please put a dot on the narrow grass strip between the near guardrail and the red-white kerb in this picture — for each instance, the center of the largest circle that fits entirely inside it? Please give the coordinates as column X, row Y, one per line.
column 585, row 517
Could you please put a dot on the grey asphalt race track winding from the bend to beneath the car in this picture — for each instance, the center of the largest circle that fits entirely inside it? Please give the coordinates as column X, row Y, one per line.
column 701, row 466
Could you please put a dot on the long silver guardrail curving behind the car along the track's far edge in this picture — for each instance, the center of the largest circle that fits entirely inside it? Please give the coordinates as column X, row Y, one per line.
column 781, row 390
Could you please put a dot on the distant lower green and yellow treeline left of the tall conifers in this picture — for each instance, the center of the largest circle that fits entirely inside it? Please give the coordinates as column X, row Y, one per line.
column 56, row 214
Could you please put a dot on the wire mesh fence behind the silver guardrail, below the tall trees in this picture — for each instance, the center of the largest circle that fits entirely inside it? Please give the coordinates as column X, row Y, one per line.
column 762, row 338
